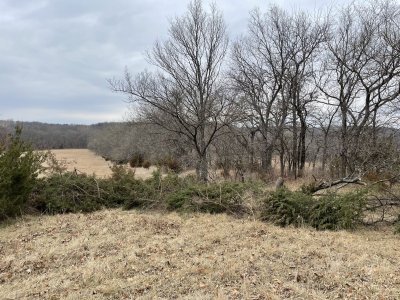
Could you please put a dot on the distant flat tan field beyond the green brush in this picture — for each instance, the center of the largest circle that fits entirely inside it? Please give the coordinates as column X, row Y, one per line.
column 86, row 161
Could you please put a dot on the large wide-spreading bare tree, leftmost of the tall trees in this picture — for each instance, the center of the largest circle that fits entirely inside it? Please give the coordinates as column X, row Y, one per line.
column 186, row 95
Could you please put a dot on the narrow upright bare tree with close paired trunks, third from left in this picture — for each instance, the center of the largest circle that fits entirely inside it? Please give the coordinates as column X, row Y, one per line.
column 306, row 36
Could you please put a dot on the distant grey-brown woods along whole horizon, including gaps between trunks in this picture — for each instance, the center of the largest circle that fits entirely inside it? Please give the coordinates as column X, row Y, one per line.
column 231, row 151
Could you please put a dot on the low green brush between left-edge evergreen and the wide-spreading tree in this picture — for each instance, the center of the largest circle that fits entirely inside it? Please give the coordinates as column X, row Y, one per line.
column 71, row 193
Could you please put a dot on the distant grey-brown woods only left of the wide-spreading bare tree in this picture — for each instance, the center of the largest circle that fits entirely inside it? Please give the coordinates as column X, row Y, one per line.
column 117, row 141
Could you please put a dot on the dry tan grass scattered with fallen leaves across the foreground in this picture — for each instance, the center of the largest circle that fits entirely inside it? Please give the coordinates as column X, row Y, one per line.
column 133, row 255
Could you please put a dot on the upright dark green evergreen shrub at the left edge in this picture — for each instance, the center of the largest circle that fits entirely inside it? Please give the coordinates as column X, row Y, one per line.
column 19, row 170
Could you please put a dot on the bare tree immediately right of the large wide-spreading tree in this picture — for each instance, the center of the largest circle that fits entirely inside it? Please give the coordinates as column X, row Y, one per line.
column 259, row 65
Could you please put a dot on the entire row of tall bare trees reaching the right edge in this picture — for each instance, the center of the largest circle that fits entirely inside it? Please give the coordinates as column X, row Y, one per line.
column 289, row 78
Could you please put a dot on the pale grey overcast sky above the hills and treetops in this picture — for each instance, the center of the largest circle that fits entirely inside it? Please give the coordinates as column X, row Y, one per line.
column 55, row 55
